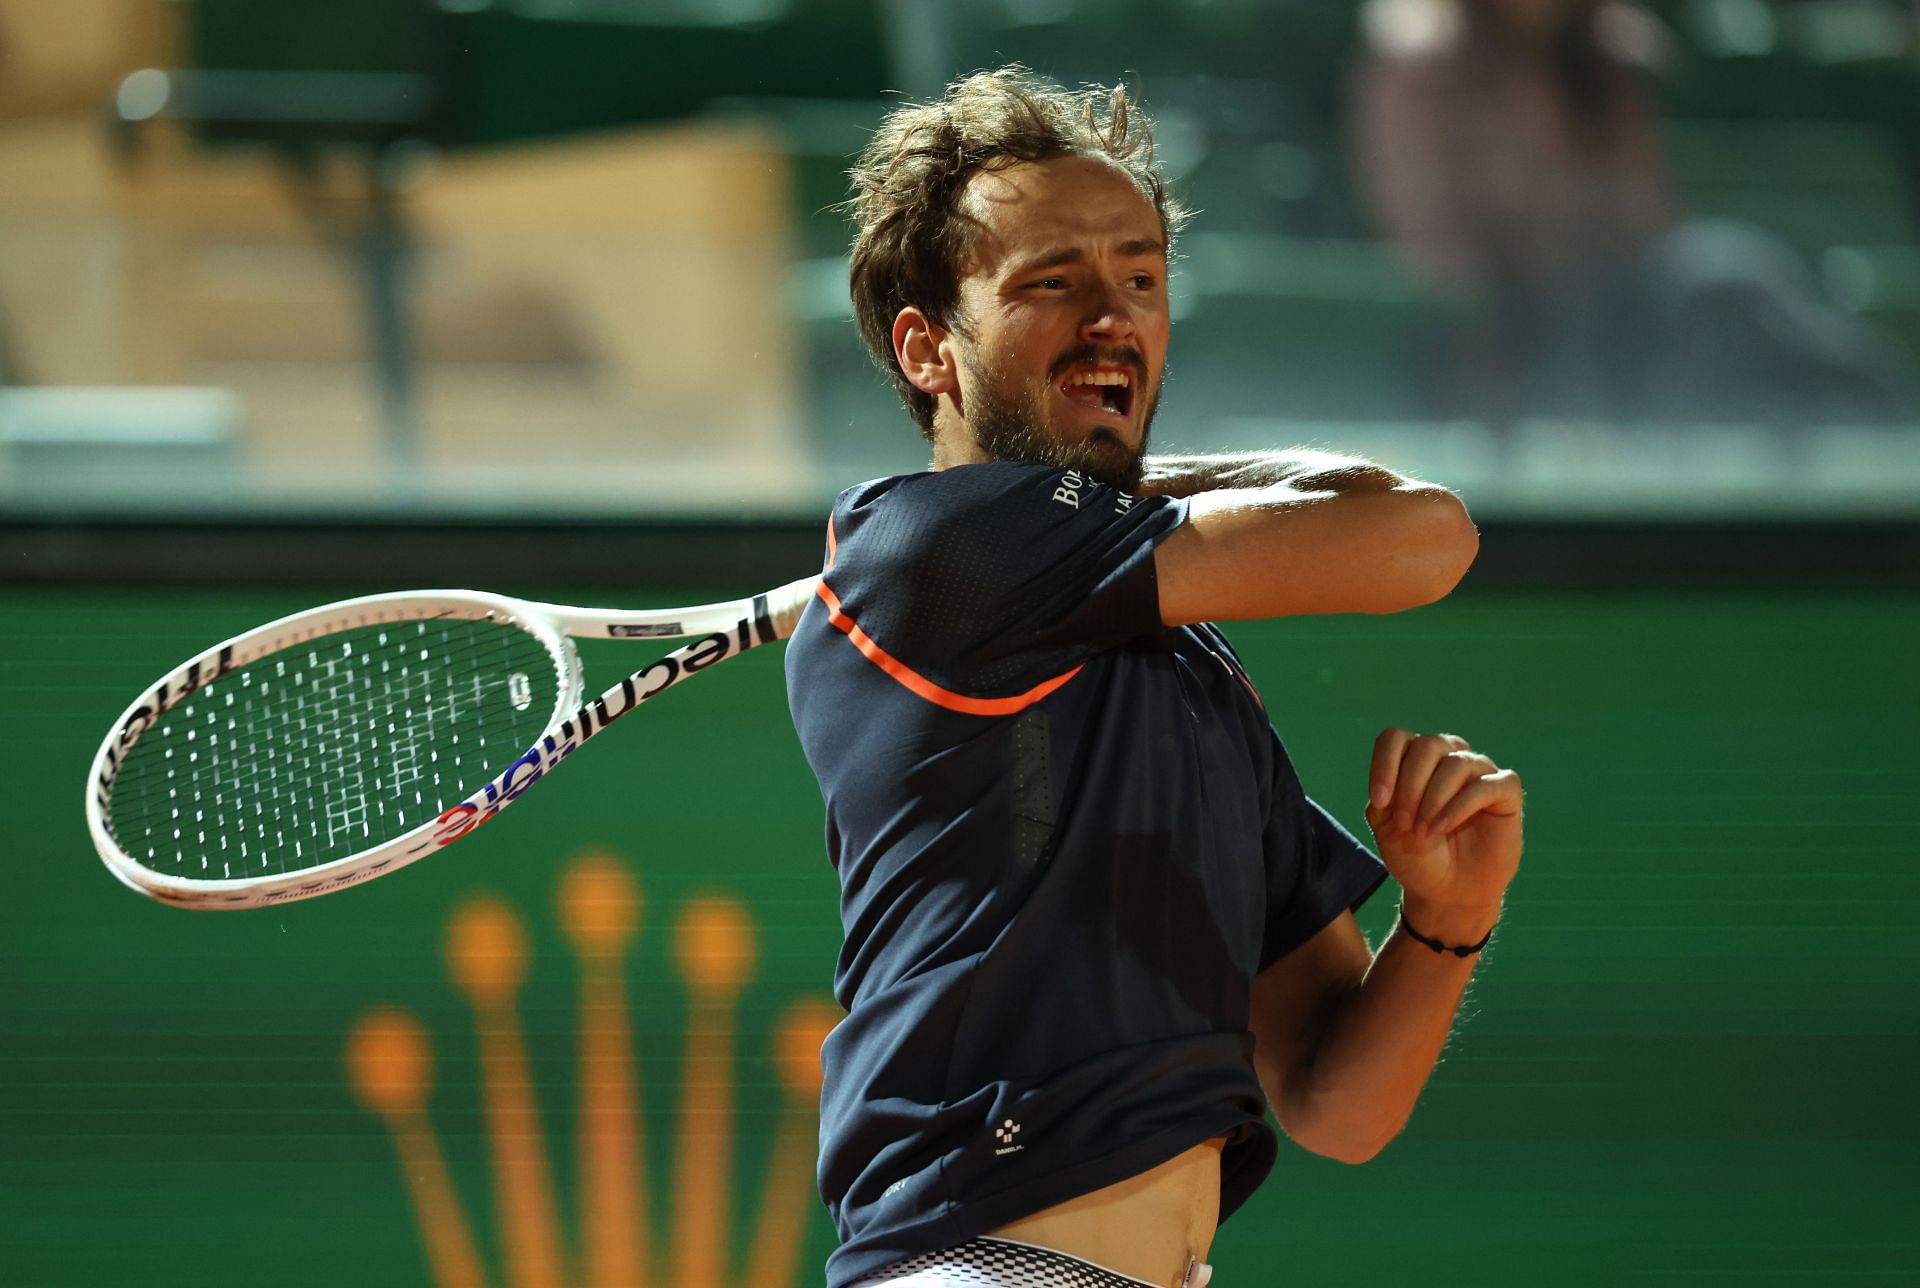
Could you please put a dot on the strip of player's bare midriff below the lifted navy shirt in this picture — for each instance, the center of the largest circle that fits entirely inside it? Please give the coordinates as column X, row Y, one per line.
column 1145, row 1228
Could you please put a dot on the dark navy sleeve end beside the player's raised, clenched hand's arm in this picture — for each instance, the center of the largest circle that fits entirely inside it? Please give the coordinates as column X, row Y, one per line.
column 1316, row 869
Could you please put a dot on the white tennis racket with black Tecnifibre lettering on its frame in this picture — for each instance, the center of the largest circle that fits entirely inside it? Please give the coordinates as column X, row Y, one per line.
column 347, row 742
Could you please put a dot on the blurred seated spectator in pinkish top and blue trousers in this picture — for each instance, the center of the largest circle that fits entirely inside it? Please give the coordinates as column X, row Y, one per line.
column 1512, row 151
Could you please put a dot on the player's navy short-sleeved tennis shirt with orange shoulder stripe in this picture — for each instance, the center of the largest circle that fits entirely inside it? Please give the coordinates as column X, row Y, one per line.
column 1067, row 840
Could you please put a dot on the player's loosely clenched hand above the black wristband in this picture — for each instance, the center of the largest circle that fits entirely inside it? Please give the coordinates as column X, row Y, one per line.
column 1449, row 828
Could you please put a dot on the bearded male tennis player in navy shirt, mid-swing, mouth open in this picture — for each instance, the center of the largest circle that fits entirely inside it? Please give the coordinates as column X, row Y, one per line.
column 1093, row 924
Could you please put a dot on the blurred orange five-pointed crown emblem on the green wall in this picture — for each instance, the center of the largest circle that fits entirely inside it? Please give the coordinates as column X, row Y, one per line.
column 713, row 1233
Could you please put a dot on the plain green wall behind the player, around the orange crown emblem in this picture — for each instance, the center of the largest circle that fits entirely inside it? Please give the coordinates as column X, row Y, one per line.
column 1689, row 1057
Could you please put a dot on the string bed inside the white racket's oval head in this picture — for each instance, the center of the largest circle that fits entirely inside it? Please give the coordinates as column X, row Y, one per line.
column 331, row 748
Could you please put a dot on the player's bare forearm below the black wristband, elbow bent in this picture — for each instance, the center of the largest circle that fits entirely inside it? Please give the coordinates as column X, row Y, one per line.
column 1380, row 1049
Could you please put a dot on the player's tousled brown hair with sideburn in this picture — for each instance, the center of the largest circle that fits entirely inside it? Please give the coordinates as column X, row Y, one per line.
column 913, row 176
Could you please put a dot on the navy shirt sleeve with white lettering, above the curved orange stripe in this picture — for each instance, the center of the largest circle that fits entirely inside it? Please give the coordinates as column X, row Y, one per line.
column 992, row 579
